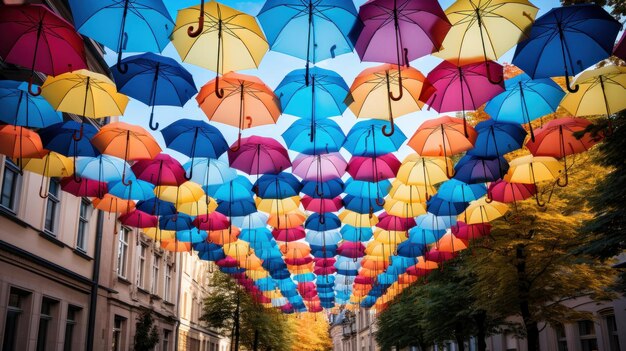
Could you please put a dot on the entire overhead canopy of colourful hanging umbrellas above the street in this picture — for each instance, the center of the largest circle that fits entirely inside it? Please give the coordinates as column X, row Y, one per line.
column 321, row 216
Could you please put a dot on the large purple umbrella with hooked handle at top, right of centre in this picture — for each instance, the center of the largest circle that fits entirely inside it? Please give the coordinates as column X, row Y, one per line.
column 400, row 31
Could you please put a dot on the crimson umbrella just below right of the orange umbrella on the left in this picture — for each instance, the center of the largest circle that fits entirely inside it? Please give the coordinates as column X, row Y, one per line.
column 162, row 170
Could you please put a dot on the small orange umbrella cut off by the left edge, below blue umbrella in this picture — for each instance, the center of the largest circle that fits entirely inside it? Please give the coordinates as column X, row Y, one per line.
column 19, row 142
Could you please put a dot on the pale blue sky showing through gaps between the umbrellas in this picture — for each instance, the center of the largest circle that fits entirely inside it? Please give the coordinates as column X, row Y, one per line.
column 272, row 70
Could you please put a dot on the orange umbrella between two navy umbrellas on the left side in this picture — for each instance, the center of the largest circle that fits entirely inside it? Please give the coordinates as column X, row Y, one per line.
column 126, row 141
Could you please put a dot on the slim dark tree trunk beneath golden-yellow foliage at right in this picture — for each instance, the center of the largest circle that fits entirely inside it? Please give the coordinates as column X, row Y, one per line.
column 532, row 330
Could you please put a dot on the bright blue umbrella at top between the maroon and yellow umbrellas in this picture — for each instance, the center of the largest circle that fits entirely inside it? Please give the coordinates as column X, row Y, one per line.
column 131, row 25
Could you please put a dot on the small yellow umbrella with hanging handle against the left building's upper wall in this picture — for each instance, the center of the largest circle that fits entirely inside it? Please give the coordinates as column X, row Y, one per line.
column 51, row 165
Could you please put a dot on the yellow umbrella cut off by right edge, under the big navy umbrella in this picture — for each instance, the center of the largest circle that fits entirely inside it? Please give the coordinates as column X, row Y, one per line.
column 601, row 92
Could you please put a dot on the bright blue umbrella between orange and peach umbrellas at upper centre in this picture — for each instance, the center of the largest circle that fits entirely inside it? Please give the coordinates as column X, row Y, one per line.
column 321, row 99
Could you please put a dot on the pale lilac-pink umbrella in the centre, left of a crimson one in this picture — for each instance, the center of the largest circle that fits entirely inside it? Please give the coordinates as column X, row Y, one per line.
column 320, row 168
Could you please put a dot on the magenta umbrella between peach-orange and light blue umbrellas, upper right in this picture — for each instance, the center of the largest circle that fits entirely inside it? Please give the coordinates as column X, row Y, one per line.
column 463, row 88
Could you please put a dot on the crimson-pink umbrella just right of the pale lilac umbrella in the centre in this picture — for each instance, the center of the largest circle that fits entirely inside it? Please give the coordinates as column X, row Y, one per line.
column 373, row 169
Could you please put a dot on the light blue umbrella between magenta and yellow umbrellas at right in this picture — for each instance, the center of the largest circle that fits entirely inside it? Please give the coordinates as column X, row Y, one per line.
column 534, row 98
